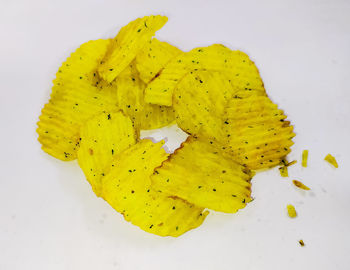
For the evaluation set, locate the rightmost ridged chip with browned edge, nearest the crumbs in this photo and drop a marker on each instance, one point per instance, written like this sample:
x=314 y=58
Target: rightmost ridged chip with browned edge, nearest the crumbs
x=256 y=132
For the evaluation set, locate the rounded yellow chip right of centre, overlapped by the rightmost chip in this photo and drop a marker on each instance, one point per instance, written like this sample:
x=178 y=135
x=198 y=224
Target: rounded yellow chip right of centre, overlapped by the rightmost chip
x=199 y=102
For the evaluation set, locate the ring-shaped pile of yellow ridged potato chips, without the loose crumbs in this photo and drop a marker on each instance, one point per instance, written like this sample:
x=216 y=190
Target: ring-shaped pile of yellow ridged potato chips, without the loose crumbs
x=109 y=90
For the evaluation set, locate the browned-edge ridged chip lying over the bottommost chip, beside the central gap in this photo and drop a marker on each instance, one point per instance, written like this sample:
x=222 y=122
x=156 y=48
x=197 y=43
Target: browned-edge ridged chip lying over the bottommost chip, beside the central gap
x=200 y=174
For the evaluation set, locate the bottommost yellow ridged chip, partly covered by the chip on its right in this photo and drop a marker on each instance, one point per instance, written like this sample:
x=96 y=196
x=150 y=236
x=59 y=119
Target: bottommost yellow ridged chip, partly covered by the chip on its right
x=127 y=188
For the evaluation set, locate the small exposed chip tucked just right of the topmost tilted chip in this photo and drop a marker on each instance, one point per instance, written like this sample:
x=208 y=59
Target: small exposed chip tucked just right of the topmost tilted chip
x=153 y=58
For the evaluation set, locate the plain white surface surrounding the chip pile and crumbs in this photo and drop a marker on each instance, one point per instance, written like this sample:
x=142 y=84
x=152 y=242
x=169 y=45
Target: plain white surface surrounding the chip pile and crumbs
x=50 y=218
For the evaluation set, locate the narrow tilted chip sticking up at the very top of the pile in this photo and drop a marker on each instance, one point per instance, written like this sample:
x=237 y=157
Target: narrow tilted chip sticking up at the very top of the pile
x=127 y=44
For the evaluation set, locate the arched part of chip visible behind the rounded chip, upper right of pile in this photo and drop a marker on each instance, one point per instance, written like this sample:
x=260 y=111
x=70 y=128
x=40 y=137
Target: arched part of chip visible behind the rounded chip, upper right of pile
x=240 y=69
